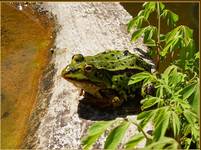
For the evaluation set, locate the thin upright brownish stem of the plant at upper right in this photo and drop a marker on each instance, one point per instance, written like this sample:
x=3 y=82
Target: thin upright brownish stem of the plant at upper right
x=158 y=36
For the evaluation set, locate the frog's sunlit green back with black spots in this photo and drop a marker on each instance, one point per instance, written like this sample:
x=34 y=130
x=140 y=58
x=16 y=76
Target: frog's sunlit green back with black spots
x=116 y=60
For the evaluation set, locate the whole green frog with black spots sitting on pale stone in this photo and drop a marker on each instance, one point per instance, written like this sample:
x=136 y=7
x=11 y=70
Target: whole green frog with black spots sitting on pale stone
x=104 y=77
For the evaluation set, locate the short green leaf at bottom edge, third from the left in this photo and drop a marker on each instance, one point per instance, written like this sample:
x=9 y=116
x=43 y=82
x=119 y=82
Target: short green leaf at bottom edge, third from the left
x=134 y=140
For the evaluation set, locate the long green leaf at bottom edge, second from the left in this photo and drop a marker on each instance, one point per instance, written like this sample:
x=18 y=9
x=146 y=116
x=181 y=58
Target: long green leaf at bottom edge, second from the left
x=116 y=135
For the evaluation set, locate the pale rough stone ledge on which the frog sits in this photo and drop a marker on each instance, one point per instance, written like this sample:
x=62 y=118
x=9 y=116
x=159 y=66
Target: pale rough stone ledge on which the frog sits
x=86 y=28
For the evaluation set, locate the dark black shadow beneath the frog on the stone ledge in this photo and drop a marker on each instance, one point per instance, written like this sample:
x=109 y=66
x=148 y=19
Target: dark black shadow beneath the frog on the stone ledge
x=92 y=112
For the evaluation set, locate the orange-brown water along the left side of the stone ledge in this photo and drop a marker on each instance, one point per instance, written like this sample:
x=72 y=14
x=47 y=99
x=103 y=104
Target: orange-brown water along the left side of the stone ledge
x=26 y=37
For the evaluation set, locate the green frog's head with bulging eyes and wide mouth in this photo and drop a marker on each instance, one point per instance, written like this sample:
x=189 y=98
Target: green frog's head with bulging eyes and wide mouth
x=83 y=74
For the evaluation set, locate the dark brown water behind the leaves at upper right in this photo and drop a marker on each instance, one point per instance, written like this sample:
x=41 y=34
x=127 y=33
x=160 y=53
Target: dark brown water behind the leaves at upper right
x=188 y=15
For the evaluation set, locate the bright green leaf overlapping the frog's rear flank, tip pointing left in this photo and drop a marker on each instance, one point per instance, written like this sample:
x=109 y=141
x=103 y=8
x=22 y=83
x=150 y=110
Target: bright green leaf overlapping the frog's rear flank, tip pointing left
x=138 y=77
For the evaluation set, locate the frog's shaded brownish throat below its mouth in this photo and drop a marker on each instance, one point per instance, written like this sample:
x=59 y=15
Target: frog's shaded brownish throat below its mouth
x=87 y=86
